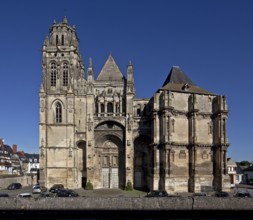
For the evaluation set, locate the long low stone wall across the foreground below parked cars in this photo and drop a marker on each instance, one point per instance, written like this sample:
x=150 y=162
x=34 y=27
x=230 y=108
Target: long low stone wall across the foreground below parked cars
x=173 y=203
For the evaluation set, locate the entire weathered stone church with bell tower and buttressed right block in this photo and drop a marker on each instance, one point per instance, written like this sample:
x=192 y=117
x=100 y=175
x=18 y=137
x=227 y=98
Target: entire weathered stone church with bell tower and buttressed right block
x=95 y=128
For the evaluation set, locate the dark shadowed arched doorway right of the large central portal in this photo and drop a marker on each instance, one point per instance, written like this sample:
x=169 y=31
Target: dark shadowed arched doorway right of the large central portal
x=142 y=163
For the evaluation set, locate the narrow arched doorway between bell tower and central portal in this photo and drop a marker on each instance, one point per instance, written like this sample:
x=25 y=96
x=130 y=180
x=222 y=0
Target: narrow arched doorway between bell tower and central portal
x=82 y=162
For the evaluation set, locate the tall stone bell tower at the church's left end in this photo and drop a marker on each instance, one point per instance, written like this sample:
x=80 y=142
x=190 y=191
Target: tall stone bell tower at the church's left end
x=63 y=73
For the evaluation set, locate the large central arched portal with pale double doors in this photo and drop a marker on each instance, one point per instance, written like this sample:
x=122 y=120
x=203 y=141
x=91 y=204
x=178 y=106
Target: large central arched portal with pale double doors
x=109 y=145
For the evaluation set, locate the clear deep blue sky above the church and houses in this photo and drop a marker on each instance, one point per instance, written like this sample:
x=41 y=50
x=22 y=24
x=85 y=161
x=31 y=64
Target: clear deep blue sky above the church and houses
x=211 y=40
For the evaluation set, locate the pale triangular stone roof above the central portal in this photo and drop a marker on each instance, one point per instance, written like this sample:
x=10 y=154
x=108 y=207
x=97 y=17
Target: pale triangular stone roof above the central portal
x=110 y=71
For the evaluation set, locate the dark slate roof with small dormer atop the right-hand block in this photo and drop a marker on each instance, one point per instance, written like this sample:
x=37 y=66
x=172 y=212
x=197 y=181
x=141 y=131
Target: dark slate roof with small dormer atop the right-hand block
x=179 y=82
